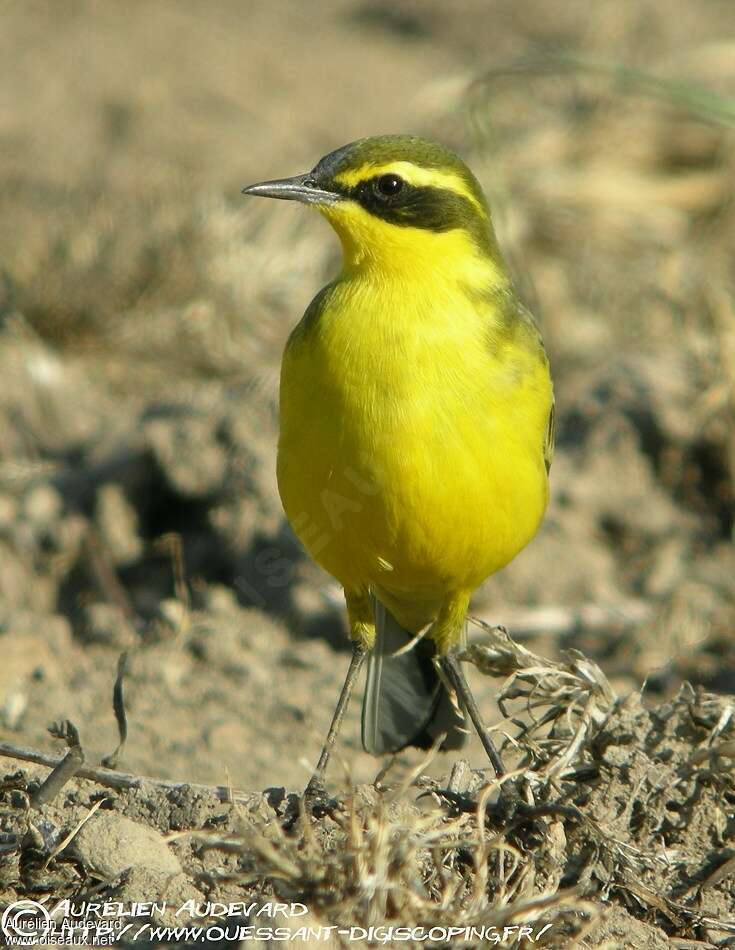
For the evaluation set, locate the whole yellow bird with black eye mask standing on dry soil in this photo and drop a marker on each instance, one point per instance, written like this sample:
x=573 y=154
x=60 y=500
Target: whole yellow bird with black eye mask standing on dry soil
x=416 y=428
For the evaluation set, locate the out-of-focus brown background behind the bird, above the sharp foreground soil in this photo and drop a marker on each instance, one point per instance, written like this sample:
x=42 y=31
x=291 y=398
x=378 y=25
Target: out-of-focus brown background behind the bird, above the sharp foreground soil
x=144 y=305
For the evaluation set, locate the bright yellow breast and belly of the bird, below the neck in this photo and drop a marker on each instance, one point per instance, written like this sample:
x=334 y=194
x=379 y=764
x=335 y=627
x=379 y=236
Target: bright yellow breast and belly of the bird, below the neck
x=411 y=460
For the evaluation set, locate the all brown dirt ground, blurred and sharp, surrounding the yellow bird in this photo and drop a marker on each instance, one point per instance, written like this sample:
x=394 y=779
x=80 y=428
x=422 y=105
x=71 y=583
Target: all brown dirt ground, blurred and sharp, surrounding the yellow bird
x=143 y=307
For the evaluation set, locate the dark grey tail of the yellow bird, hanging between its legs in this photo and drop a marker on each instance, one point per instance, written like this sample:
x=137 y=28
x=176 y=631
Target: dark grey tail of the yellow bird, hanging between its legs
x=406 y=703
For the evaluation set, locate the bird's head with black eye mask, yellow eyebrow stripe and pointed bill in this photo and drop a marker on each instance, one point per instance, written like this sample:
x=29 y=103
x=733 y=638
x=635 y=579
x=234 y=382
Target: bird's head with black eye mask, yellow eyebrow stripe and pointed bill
x=396 y=201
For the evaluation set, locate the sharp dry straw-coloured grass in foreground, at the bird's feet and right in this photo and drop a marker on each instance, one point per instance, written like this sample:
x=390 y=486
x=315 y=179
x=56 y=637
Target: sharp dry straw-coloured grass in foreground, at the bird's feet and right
x=418 y=853
